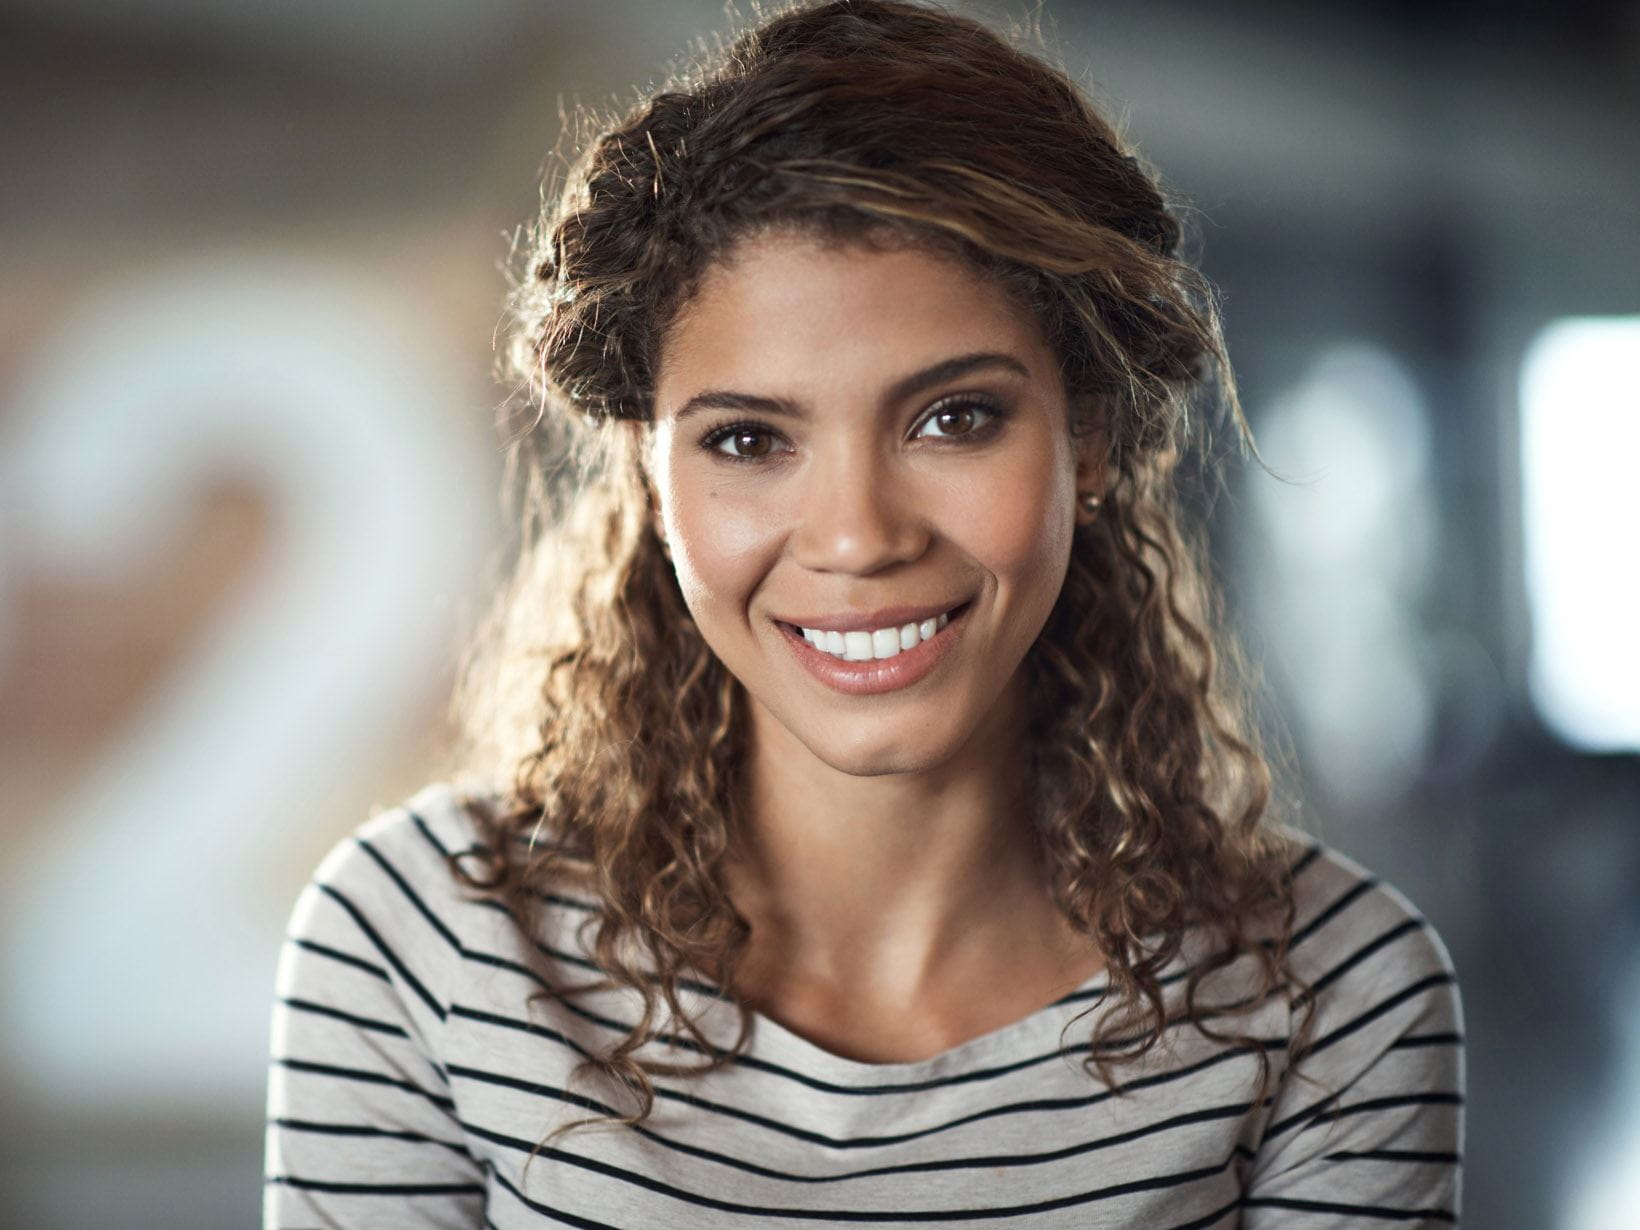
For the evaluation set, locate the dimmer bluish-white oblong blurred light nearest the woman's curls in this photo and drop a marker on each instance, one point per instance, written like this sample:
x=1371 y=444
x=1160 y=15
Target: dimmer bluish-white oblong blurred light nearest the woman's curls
x=1347 y=544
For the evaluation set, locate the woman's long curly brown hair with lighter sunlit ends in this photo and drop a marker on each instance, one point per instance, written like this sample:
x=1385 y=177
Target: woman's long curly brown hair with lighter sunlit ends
x=622 y=734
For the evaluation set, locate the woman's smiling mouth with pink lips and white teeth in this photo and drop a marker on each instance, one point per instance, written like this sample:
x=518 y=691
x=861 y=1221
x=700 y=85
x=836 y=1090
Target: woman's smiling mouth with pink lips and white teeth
x=881 y=652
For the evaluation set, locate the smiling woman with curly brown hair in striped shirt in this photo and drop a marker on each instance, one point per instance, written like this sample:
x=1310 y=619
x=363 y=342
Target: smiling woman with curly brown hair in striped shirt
x=881 y=839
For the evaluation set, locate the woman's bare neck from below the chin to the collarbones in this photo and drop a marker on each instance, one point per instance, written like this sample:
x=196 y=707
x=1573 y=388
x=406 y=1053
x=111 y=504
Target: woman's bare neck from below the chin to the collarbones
x=890 y=880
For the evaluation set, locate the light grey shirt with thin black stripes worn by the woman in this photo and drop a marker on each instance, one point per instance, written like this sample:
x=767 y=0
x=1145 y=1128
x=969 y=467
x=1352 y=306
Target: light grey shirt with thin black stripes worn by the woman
x=414 y=1085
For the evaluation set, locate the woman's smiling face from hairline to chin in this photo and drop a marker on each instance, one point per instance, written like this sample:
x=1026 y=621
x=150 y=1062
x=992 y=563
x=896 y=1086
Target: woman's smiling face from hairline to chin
x=875 y=447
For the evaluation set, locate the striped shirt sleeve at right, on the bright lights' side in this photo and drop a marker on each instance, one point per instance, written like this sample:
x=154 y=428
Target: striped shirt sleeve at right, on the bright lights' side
x=1367 y=1126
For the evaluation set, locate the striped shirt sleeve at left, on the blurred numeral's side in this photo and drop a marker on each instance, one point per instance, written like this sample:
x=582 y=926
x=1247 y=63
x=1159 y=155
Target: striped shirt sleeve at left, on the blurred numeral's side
x=362 y=1126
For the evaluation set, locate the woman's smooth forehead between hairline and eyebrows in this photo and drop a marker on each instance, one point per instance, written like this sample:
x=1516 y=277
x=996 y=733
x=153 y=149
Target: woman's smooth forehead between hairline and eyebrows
x=793 y=311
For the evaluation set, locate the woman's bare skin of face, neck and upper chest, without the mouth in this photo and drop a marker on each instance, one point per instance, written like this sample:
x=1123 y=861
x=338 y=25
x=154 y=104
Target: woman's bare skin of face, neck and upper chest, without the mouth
x=890 y=867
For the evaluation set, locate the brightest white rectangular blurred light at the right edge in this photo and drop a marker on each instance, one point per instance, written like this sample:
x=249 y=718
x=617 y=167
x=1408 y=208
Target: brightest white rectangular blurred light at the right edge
x=1580 y=452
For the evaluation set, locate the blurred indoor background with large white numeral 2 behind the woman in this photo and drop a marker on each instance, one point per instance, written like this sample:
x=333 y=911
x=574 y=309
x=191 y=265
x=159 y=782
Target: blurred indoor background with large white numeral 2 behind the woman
x=250 y=276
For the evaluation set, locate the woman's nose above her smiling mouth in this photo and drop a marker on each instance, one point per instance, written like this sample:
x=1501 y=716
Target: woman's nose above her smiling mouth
x=859 y=516
